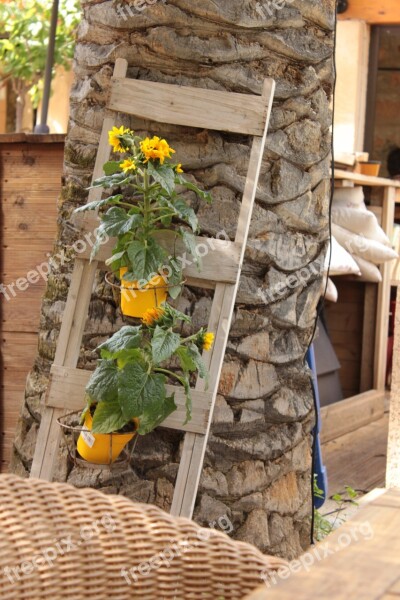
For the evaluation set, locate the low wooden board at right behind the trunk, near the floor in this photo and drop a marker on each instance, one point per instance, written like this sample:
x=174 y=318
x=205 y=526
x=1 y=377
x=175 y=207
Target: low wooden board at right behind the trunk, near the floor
x=350 y=414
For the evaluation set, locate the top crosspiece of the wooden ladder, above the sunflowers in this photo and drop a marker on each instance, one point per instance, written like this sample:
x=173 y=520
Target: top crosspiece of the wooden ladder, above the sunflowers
x=190 y=106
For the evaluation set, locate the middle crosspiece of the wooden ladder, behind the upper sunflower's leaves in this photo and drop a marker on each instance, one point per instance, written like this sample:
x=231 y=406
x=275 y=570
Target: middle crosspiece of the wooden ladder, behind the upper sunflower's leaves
x=220 y=262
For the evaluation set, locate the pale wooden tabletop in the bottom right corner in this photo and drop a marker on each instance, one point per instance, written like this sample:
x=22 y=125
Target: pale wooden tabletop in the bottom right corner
x=359 y=560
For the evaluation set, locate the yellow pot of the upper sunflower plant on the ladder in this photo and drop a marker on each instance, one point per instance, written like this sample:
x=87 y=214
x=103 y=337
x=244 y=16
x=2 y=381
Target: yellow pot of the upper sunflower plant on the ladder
x=135 y=302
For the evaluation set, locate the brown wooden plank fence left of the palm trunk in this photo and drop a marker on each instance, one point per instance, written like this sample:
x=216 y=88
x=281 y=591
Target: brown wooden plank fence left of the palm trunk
x=30 y=183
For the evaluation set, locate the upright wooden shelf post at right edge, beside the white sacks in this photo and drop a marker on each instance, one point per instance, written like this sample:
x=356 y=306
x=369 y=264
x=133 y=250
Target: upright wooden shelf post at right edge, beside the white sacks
x=383 y=302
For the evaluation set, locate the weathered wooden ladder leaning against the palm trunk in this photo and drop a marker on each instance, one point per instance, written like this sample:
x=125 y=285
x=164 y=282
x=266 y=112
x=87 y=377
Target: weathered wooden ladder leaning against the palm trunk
x=193 y=107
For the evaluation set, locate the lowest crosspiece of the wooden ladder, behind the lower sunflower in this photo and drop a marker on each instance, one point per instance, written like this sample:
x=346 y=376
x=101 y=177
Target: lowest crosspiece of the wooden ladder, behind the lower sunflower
x=67 y=391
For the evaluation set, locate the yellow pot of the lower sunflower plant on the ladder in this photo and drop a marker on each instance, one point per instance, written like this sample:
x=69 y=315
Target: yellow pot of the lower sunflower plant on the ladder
x=97 y=448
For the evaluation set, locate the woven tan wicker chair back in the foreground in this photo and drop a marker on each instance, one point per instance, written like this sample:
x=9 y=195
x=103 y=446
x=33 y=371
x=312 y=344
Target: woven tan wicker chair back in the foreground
x=57 y=541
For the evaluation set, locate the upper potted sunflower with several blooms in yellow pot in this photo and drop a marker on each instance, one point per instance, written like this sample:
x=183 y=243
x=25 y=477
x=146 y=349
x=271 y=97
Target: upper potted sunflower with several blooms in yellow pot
x=145 y=208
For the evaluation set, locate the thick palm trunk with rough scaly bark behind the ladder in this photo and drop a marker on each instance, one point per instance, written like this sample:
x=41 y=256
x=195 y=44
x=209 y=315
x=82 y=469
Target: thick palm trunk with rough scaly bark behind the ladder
x=257 y=469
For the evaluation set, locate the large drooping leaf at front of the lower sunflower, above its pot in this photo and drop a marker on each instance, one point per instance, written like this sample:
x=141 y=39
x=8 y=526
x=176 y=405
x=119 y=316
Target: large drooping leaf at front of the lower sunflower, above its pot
x=132 y=380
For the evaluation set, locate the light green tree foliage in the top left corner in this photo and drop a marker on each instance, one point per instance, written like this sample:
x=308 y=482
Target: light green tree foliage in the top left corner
x=23 y=51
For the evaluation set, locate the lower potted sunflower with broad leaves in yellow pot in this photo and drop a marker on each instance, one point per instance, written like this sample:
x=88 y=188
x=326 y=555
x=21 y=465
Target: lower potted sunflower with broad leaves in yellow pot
x=127 y=394
